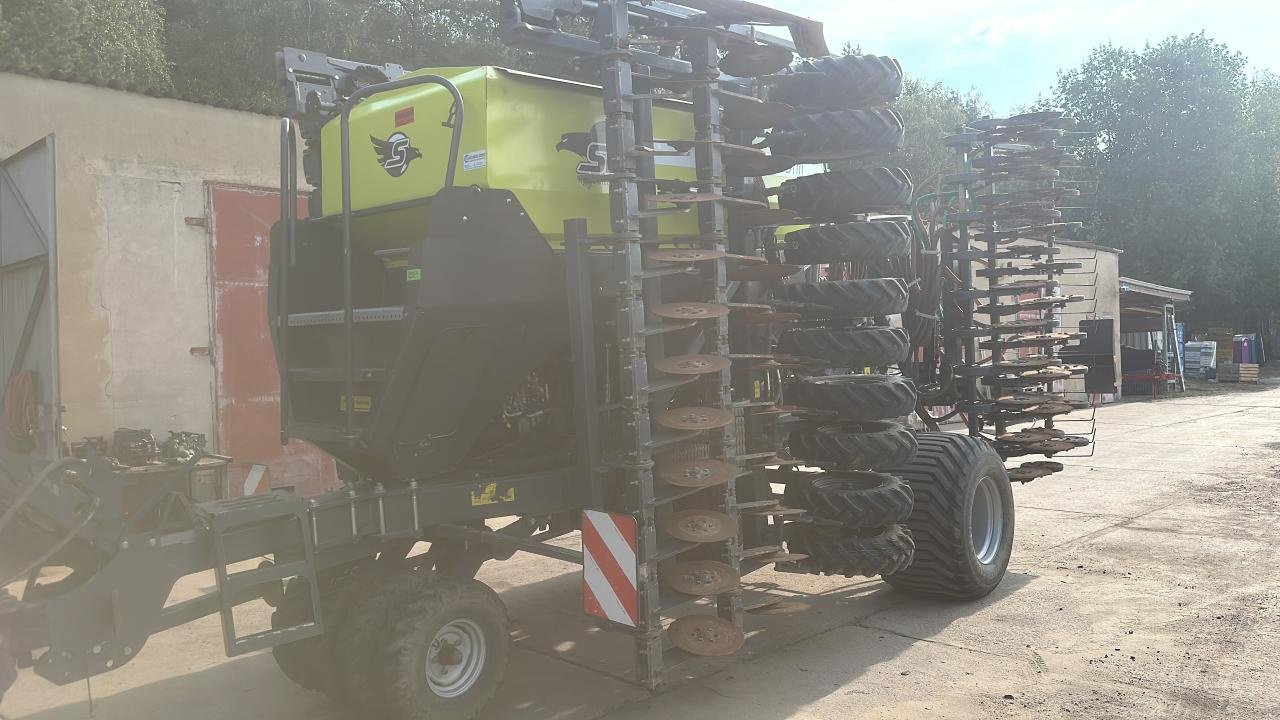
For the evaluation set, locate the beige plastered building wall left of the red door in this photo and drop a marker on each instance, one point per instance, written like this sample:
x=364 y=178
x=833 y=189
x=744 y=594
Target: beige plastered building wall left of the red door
x=134 y=275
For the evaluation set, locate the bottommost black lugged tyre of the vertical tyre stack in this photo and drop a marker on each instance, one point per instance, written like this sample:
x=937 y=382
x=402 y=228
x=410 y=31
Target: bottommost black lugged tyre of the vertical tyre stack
x=839 y=552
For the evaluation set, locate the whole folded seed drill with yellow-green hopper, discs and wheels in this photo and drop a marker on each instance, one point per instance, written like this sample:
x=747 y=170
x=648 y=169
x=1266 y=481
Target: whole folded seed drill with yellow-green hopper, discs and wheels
x=651 y=320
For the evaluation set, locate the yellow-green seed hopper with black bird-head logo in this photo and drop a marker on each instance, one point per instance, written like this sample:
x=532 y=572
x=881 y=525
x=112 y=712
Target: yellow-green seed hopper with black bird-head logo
x=514 y=126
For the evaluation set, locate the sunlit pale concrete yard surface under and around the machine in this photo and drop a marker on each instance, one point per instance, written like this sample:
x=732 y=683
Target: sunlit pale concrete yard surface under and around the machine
x=1144 y=585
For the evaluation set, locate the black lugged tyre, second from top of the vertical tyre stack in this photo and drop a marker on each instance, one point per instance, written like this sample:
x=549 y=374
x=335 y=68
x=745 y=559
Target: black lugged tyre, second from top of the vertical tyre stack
x=838 y=135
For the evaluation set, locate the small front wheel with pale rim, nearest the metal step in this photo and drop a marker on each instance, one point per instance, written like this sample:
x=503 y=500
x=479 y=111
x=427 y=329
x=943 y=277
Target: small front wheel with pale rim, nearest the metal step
x=386 y=648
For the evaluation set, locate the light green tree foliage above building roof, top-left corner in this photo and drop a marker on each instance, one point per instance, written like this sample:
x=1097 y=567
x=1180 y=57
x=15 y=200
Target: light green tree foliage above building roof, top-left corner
x=111 y=42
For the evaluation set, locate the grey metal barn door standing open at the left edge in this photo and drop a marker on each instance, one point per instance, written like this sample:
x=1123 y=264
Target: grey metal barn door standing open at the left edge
x=30 y=414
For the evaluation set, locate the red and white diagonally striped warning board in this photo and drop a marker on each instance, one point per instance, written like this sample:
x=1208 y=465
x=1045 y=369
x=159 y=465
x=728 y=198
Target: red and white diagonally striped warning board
x=610 y=568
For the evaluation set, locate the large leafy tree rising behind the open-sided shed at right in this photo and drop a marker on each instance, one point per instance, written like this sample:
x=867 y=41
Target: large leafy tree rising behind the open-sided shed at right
x=1187 y=174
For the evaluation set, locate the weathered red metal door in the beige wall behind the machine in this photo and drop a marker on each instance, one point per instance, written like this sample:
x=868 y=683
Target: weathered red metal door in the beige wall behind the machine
x=248 y=381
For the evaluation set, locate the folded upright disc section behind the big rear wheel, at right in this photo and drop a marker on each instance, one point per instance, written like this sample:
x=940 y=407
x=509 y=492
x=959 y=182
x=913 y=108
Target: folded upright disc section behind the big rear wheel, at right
x=1017 y=162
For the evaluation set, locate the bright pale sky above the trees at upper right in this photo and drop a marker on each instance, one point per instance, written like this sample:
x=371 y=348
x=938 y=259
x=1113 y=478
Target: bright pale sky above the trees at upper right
x=1012 y=51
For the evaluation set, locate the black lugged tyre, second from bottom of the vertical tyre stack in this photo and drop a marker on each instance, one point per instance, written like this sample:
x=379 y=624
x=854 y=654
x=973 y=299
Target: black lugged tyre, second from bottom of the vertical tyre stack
x=857 y=499
